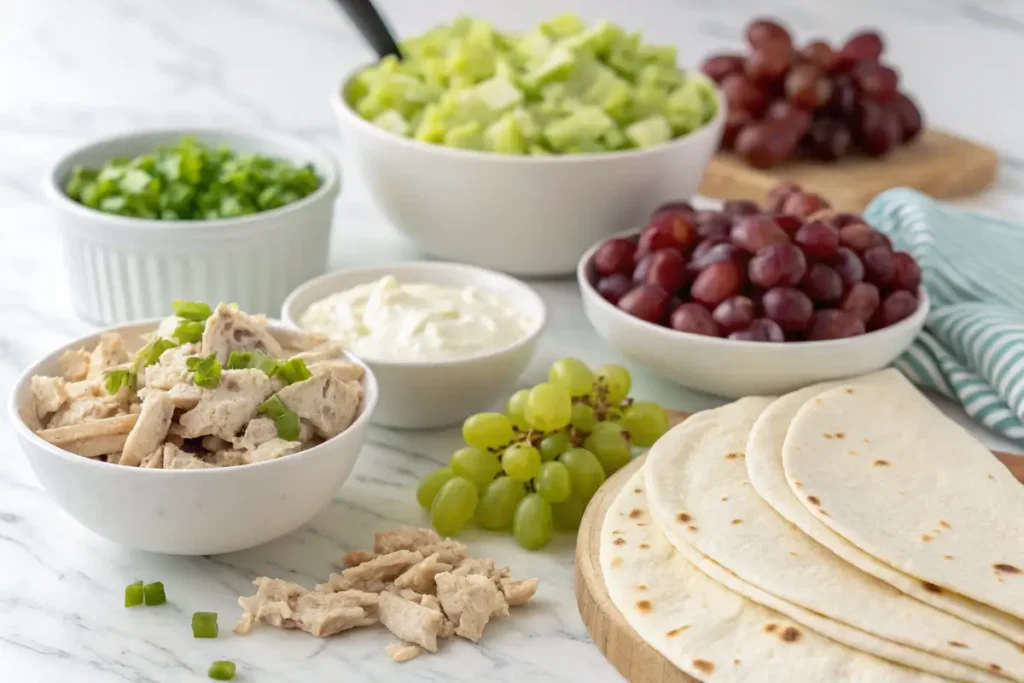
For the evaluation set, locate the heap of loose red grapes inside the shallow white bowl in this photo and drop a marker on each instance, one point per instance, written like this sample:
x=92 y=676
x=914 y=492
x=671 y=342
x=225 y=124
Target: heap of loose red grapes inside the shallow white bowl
x=795 y=272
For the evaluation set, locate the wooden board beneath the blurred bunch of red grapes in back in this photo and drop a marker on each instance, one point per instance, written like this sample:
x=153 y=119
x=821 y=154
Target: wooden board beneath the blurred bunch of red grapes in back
x=938 y=164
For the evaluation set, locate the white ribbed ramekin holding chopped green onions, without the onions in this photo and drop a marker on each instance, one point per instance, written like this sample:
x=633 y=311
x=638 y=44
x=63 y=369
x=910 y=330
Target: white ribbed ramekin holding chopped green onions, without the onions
x=122 y=269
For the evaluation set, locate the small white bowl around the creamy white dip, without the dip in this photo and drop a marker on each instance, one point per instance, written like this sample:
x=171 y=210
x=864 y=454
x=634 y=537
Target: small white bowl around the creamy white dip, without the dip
x=428 y=395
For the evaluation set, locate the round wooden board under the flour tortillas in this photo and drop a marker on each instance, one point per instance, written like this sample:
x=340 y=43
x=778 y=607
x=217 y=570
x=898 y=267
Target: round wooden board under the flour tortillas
x=630 y=654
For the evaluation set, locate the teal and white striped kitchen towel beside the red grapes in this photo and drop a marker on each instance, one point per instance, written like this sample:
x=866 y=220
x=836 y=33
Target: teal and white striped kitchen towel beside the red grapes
x=972 y=349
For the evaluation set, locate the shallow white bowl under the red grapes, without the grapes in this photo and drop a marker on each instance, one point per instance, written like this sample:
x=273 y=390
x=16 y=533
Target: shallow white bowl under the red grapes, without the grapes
x=735 y=369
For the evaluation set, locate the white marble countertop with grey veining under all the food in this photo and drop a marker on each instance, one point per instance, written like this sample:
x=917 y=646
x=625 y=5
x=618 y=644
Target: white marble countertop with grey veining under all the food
x=74 y=70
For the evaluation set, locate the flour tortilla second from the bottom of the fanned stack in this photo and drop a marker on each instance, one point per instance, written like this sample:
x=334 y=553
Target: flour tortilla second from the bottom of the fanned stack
x=703 y=500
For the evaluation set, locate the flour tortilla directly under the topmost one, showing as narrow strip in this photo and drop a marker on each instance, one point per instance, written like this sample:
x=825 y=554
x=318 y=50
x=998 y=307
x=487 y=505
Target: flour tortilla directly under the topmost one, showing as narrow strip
x=764 y=466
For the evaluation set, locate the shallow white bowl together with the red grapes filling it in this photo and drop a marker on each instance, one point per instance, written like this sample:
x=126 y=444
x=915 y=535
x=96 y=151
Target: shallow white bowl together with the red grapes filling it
x=748 y=301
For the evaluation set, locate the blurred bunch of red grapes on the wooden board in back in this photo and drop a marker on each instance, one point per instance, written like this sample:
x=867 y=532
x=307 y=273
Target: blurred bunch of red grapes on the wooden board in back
x=817 y=102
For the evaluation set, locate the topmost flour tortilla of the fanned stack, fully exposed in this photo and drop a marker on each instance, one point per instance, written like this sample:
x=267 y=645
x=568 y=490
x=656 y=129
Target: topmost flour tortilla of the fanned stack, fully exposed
x=921 y=494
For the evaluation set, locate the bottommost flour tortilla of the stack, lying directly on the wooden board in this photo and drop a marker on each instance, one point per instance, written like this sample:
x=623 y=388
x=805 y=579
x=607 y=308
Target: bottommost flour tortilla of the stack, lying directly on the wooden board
x=708 y=631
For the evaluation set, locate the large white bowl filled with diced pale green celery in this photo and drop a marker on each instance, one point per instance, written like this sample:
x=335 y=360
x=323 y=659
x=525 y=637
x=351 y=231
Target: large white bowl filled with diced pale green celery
x=518 y=152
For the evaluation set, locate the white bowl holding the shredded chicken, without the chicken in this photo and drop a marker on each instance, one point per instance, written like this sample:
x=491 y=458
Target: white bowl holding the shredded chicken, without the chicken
x=188 y=513
